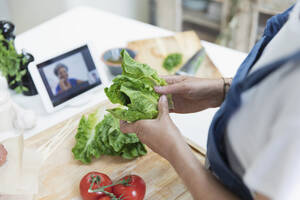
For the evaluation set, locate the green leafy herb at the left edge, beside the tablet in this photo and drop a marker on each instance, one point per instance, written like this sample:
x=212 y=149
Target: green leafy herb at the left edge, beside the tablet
x=10 y=64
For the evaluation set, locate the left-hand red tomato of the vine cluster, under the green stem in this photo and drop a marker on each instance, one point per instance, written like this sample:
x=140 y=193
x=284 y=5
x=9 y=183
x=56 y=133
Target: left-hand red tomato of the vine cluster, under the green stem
x=86 y=182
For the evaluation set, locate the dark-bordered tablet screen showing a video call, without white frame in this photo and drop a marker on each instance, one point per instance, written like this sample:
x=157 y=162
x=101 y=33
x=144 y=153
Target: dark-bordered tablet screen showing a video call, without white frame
x=69 y=75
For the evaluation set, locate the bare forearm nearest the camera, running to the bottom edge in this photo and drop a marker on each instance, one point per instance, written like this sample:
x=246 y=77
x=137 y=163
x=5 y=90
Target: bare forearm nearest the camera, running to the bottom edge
x=200 y=182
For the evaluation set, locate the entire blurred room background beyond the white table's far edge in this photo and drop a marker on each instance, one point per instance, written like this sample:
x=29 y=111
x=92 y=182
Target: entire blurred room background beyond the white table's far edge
x=233 y=23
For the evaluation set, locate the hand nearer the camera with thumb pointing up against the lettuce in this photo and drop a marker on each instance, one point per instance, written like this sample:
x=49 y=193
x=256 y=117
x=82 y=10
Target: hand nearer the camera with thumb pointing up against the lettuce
x=160 y=134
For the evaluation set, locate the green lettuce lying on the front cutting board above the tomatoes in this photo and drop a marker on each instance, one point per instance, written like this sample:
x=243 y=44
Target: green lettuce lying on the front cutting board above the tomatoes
x=95 y=138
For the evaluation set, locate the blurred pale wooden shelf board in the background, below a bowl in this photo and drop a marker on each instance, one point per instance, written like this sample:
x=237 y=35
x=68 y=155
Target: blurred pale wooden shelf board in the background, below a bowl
x=200 y=18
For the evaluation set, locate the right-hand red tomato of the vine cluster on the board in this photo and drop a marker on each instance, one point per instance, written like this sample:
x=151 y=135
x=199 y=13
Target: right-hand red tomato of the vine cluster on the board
x=135 y=190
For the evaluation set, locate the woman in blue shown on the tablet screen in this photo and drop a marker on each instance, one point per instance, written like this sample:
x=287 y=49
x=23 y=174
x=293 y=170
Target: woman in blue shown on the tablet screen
x=65 y=83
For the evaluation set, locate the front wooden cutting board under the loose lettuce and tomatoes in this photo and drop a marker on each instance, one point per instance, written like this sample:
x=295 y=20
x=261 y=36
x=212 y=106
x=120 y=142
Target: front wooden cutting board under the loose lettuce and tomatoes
x=60 y=174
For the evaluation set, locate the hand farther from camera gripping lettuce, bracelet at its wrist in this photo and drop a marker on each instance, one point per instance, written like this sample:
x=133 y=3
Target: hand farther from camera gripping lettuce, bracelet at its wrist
x=191 y=94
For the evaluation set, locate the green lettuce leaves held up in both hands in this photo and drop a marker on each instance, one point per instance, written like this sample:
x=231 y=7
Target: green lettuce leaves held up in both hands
x=135 y=90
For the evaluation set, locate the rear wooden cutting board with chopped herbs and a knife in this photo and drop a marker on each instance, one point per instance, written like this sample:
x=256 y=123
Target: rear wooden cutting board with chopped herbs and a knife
x=154 y=51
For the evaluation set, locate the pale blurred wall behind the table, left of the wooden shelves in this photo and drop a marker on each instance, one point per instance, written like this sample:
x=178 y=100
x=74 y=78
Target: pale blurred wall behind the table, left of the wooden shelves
x=29 y=13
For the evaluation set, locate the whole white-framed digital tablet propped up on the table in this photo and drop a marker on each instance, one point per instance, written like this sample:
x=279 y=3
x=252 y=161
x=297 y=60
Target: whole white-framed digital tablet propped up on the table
x=63 y=79
